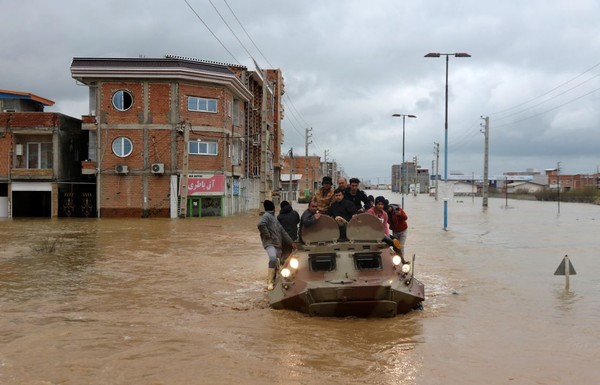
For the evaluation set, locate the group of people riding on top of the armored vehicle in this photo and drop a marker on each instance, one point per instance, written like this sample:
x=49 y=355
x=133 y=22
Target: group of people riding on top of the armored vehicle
x=341 y=203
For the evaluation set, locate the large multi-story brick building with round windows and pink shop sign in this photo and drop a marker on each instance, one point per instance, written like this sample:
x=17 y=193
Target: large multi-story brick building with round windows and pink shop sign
x=180 y=137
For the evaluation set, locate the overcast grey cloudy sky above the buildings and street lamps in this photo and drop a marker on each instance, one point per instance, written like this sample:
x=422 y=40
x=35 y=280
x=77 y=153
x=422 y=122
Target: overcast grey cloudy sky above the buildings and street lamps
x=349 y=65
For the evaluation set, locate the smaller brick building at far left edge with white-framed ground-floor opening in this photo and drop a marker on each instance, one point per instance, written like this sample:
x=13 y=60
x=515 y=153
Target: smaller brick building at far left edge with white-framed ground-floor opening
x=40 y=160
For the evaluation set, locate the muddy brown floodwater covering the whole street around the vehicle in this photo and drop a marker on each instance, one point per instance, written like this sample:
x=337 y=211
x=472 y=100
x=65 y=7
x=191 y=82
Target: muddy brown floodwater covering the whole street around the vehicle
x=163 y=301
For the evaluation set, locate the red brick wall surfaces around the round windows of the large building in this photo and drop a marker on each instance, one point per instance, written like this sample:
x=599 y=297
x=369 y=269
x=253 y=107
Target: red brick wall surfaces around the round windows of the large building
x=122 y=195
